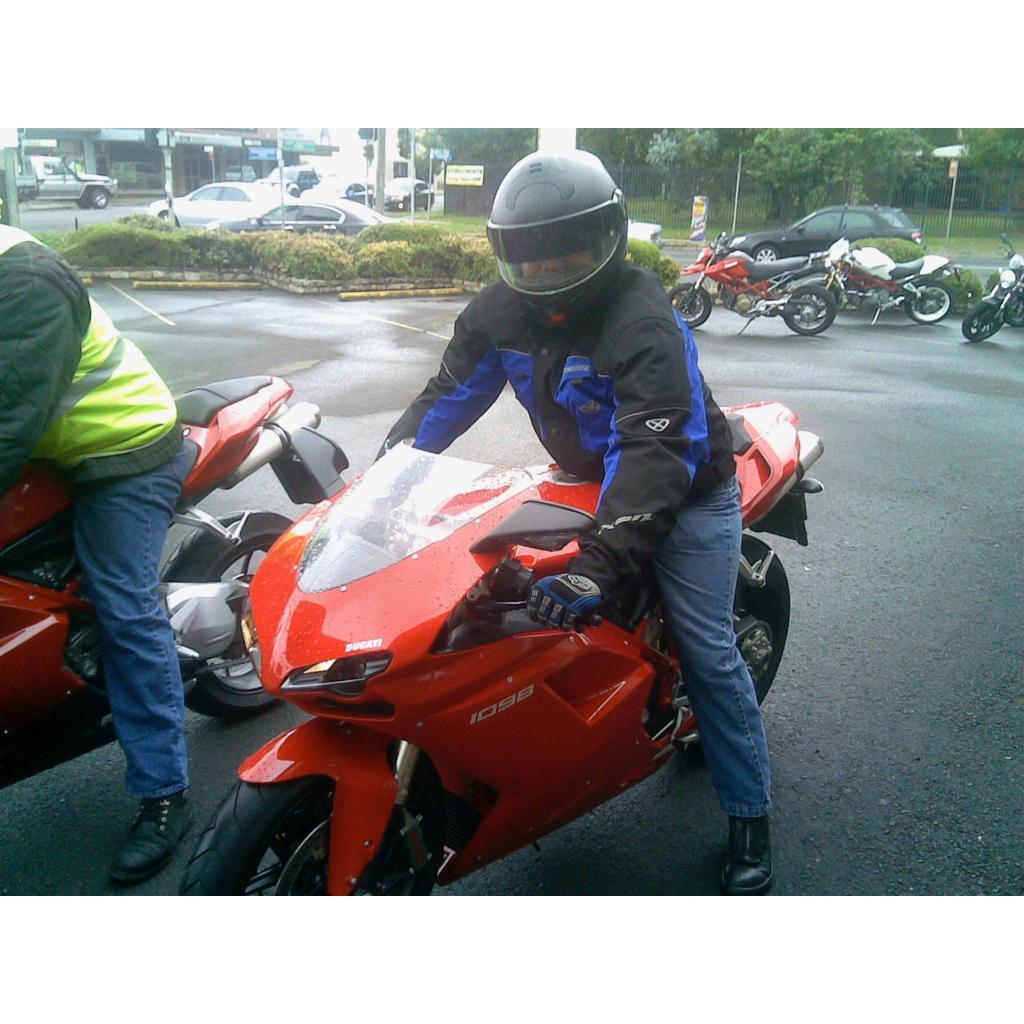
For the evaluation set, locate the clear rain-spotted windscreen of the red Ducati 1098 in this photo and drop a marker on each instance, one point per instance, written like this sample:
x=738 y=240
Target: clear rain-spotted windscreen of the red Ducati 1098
x=405 y=502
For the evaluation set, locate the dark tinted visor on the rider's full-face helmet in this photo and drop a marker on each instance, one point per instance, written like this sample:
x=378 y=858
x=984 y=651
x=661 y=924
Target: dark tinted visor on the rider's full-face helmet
x=545 y=260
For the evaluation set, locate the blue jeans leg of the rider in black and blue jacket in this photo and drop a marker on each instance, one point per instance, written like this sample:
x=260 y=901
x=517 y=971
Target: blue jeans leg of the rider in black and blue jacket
x=696 y=569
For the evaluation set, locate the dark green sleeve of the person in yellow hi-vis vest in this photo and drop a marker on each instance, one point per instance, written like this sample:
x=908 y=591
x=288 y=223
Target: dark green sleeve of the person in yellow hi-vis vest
x=44 y=320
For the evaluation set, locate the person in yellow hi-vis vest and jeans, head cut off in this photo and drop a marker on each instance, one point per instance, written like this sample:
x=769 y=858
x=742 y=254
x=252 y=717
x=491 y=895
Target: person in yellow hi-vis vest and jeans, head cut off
x=77 y=394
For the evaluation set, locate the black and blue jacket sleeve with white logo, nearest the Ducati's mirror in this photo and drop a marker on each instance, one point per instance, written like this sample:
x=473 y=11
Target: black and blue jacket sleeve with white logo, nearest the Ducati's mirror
x=659 y=439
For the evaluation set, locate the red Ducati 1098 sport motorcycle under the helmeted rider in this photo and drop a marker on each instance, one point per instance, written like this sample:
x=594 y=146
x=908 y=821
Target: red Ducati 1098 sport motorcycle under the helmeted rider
x=449 y=730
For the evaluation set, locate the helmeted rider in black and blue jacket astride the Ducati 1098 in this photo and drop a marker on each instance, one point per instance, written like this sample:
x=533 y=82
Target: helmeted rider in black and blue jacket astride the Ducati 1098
x=611 y=380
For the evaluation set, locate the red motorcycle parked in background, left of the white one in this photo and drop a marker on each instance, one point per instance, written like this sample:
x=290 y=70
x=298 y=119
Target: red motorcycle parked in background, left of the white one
x=754 y=290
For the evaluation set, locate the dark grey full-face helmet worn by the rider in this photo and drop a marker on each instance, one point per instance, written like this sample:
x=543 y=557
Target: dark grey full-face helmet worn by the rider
x=559 y=230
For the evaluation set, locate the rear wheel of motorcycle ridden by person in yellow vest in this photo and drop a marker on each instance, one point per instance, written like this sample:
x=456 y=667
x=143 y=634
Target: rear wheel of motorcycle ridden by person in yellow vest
x=228 y=687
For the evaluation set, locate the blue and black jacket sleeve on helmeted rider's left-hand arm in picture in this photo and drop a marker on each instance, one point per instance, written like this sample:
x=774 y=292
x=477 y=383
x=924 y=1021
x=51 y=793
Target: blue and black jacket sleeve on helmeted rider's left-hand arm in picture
x=468 y=383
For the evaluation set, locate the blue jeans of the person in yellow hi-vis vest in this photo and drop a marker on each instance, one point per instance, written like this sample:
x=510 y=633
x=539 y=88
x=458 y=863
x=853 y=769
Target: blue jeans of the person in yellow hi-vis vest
x=120 y=529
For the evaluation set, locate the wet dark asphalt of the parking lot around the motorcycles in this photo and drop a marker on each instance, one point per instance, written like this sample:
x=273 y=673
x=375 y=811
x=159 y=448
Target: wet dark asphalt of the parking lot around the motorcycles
x=897 y=723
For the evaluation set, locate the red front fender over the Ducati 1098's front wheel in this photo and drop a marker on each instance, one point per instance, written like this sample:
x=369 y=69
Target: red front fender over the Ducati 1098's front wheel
x=365 y=788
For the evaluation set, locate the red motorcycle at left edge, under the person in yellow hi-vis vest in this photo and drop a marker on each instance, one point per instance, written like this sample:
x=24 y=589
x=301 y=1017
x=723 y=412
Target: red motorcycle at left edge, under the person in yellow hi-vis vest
x=53 y=703
